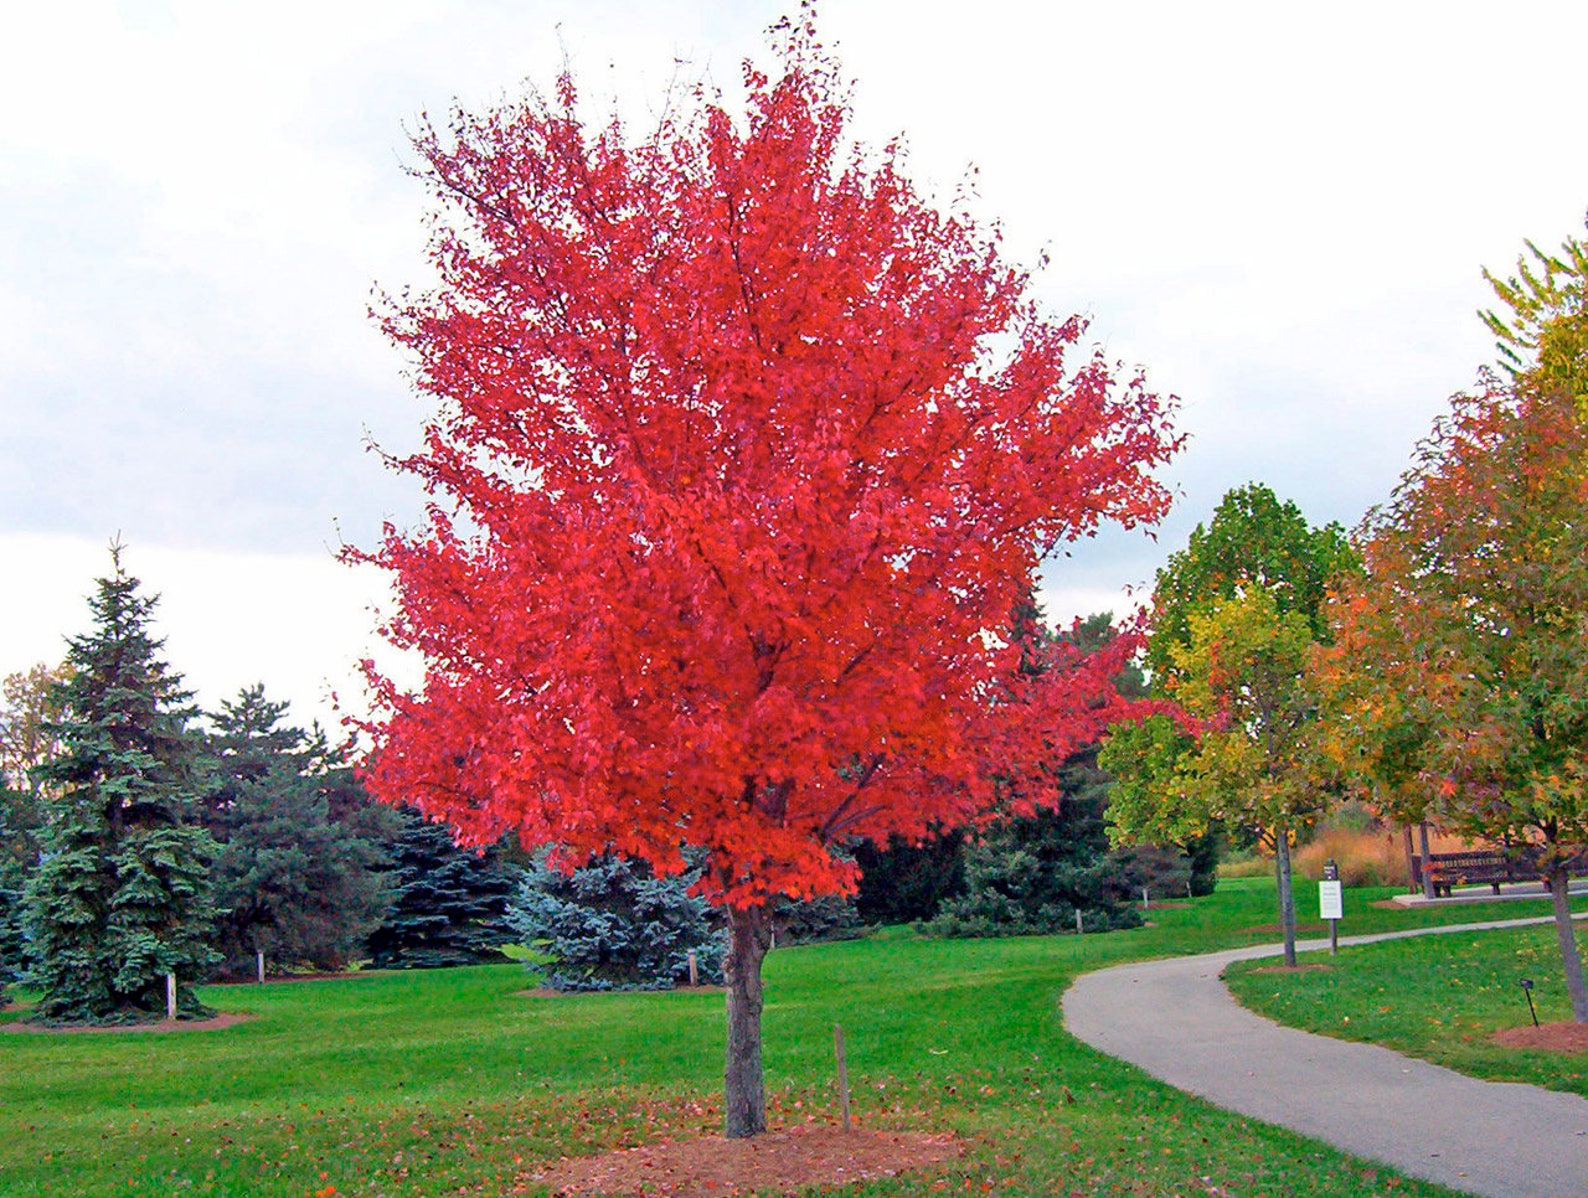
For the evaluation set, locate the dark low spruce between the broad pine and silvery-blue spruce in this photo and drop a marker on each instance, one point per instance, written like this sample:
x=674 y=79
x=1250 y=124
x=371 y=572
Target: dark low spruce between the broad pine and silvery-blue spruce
x=449 y=905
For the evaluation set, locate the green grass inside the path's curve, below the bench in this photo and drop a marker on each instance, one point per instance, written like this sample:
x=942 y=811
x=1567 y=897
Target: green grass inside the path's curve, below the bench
x=1441 y=999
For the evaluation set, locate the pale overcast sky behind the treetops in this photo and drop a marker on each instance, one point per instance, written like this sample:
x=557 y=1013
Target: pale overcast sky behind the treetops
x=1279 y=211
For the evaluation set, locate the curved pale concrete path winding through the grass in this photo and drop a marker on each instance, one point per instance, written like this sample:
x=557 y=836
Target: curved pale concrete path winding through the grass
x=1176 y=1021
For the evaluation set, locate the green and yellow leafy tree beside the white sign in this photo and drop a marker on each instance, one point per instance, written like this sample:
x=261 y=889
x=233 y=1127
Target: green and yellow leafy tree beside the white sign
x=1236 y=619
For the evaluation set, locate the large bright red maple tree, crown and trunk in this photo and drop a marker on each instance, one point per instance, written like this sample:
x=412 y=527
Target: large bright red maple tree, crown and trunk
x=744 y=457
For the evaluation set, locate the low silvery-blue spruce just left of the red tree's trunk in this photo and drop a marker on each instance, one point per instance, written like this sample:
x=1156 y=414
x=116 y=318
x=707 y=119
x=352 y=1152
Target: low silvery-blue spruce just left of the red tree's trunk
x=614 y=926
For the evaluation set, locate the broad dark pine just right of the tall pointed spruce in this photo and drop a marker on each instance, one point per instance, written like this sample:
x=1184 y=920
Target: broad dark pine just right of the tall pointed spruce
x=295 y=883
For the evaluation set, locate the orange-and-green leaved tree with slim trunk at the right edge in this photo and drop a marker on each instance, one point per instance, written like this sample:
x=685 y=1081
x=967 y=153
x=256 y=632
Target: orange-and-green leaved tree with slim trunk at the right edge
x=1468 y=690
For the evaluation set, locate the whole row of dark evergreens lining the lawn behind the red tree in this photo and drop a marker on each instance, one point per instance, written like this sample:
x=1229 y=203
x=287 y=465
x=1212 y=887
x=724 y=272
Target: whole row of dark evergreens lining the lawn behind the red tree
x=141 y=838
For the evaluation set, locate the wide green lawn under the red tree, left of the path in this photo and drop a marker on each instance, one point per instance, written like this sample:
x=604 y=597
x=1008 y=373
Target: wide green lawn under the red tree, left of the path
x=457 y=1083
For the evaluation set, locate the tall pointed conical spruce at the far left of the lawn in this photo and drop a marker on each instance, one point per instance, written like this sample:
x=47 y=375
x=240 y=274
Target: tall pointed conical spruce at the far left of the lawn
x=123 y=894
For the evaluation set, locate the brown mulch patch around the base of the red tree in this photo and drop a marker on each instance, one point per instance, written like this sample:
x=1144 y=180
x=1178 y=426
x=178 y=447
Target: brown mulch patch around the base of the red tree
x=785 y=1162
